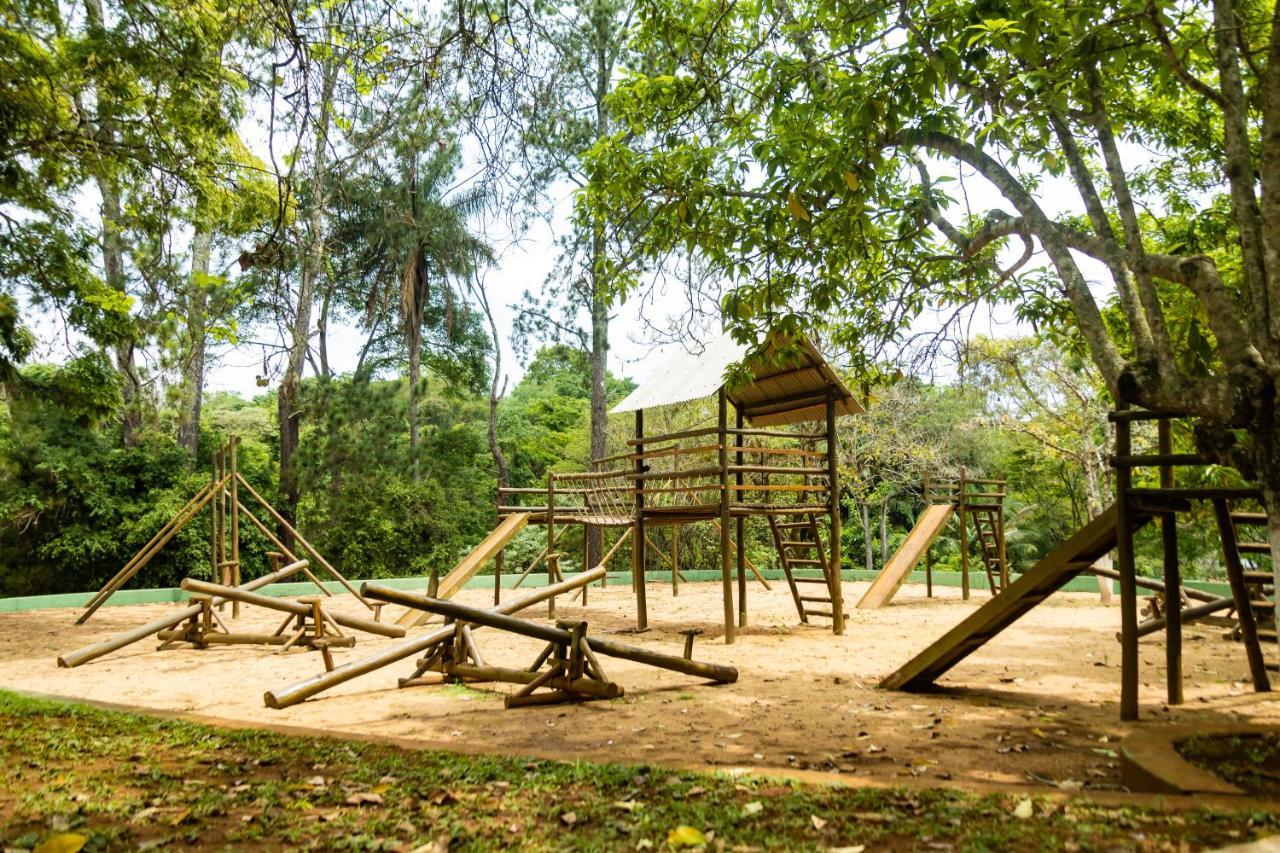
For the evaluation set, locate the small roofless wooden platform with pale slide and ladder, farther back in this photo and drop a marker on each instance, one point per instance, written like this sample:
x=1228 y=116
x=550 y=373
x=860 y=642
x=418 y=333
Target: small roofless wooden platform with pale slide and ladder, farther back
x=981 y=501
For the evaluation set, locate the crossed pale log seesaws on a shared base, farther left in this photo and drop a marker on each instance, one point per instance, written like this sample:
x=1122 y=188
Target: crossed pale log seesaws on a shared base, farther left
x=199 y=623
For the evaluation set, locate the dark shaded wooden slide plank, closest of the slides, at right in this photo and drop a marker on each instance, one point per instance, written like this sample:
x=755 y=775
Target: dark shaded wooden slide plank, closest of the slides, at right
x=1067 y=562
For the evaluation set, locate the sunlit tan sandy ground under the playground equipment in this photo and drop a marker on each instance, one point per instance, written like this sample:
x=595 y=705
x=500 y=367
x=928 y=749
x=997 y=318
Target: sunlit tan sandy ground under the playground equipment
x=1036 y=705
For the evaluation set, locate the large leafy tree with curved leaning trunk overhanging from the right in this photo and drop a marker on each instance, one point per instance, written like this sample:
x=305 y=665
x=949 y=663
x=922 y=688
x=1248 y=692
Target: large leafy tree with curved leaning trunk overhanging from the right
x=797 y=148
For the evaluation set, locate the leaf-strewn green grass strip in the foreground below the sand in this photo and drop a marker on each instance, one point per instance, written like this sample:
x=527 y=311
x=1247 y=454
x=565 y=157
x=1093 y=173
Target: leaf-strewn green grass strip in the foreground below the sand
x=125 y=781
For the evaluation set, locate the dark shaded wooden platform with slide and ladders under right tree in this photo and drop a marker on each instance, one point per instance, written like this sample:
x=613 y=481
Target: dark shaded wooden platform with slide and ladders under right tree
x=1136 y=507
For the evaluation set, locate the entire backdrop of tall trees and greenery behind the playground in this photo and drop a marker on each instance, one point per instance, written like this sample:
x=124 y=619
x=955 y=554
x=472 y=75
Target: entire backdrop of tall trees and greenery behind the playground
x=186 y=183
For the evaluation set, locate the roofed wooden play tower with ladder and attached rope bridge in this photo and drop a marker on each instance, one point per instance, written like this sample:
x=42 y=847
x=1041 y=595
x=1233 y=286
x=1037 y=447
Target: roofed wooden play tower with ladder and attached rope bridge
x=747 y=466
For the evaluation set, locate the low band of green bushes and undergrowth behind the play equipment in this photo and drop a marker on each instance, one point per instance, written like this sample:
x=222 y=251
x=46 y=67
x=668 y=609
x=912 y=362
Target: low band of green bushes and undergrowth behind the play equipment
x=77 y=503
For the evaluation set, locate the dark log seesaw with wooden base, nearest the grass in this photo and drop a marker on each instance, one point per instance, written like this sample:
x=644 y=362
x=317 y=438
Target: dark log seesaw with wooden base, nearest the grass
x=573 y=670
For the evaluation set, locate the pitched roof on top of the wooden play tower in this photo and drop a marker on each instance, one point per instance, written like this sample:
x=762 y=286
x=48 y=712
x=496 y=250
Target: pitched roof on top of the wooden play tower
x=783 y=391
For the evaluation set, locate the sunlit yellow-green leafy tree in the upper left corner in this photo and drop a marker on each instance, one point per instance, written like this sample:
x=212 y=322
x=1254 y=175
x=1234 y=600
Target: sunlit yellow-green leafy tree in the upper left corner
x=130 y=104
